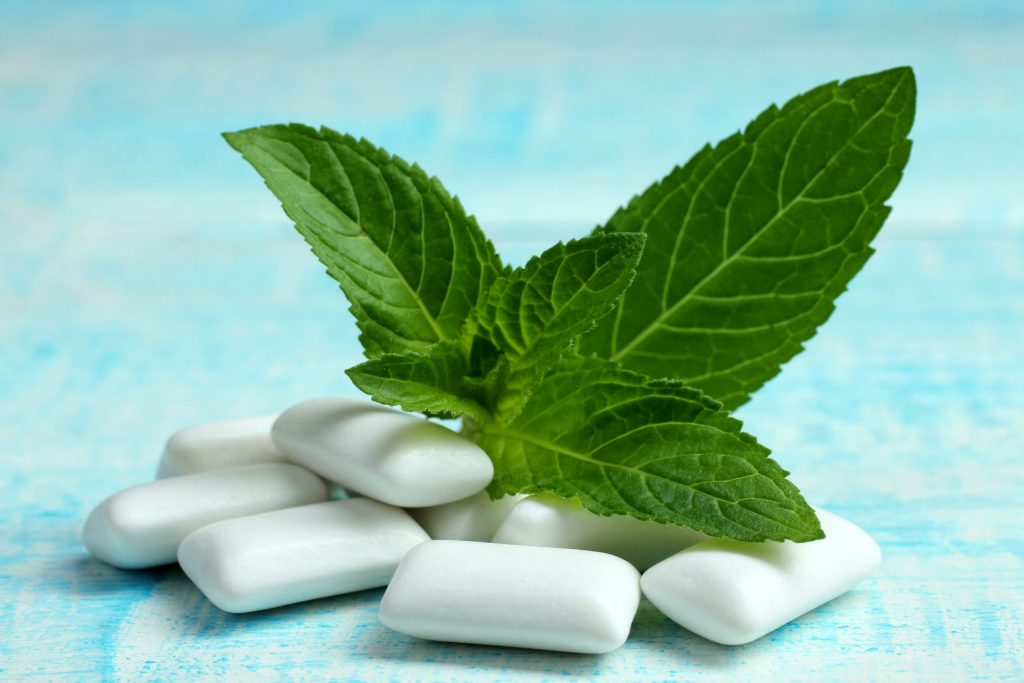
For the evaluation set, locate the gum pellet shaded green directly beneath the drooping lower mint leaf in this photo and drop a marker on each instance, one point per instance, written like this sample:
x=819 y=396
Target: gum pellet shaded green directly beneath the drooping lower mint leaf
x=548 y=521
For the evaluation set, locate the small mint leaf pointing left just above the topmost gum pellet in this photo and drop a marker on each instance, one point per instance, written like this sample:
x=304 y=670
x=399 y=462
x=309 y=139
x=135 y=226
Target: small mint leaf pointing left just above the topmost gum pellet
x=435 y=382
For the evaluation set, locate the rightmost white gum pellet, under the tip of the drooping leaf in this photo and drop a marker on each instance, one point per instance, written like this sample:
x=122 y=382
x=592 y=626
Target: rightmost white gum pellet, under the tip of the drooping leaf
x=734 y=592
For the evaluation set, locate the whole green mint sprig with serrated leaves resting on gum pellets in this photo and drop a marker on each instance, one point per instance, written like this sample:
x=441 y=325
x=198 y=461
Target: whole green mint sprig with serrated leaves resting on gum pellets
x=748 y=246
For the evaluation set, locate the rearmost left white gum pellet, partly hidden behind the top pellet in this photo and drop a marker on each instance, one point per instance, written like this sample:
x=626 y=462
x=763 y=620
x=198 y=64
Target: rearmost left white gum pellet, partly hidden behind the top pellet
x=219 y=446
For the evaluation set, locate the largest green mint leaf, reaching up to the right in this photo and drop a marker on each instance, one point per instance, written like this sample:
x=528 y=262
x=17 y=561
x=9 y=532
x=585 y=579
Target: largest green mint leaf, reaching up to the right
x=752 y=241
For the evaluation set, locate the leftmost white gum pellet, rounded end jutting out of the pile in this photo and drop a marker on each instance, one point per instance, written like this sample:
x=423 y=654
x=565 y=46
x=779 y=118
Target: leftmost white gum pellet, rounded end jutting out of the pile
x=142 y=527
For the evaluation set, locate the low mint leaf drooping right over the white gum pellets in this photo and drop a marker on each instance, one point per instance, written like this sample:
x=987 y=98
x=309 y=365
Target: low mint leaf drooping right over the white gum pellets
x=656 y=450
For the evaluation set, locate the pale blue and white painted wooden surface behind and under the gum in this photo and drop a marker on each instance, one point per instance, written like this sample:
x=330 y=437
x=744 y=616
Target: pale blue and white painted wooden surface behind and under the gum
x=149 y=282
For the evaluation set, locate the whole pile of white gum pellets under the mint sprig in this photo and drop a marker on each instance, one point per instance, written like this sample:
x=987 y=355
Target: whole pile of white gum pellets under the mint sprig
x=336 y=496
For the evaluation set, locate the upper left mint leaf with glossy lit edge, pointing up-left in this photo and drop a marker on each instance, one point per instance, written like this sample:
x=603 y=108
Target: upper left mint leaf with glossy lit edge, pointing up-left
x=412 y=264
